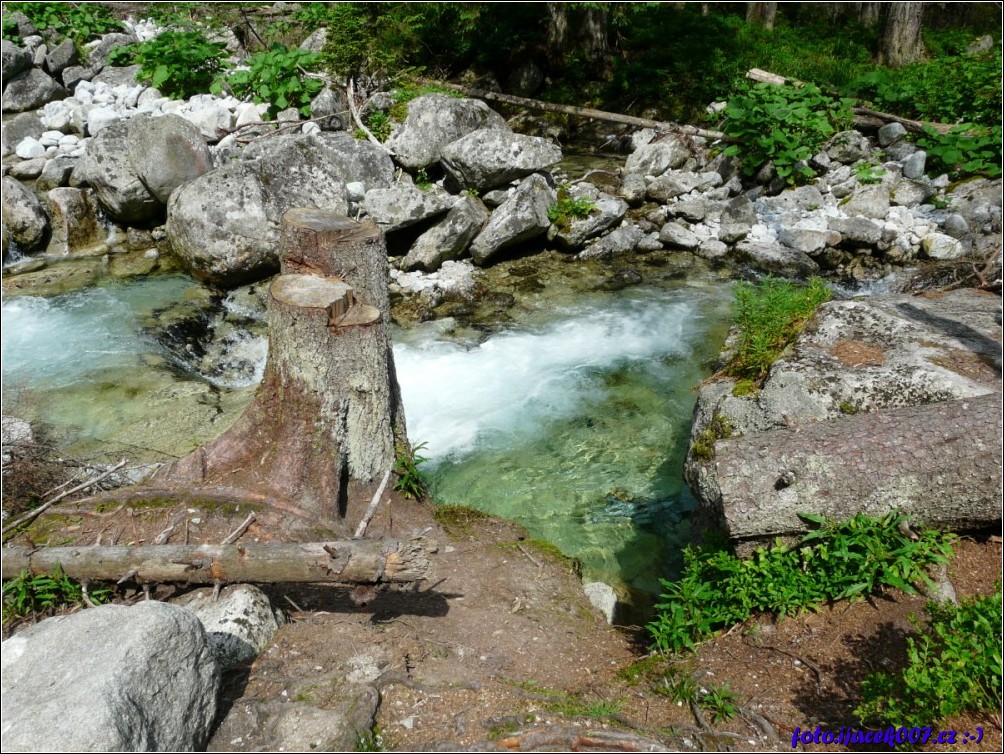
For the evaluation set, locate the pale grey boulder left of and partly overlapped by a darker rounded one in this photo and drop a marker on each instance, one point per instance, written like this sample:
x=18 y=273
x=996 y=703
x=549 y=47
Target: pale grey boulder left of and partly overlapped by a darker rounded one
x=107 y=168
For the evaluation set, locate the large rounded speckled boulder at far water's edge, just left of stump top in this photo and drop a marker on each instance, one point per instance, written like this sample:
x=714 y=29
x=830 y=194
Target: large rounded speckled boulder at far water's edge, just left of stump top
x=219 y=227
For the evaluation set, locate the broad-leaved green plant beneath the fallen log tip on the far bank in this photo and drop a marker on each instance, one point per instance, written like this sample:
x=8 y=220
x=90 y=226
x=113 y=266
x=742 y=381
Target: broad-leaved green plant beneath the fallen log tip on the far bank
x=784 y=125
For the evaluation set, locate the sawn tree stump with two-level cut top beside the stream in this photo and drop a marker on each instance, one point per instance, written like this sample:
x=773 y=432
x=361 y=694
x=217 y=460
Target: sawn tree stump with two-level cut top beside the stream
x=329 y=413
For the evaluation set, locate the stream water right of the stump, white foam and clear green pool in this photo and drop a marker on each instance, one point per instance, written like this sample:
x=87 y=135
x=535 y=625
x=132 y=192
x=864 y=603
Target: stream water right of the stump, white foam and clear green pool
x=576 y=427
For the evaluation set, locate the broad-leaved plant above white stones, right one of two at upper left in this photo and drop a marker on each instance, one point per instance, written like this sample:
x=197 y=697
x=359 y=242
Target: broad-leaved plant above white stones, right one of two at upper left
x=277 y=78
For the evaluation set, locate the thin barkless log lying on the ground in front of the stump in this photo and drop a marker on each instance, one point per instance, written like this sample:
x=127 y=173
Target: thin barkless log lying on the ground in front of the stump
x=353 y=562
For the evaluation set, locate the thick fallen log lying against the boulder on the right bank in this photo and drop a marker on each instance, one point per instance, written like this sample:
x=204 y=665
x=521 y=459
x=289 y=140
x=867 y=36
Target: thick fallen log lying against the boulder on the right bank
x=940 y=464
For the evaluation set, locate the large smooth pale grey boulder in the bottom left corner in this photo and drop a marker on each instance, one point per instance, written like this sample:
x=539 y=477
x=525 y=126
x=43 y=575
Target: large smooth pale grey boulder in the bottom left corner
x=110 y=679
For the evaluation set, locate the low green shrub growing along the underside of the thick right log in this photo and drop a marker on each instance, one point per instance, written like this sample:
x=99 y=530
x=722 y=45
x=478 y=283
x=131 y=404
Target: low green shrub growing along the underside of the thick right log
x=836 y=562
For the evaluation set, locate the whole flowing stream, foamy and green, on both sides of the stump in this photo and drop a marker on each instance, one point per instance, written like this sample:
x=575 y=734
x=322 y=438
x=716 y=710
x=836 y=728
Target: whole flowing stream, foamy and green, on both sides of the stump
x=572 y=419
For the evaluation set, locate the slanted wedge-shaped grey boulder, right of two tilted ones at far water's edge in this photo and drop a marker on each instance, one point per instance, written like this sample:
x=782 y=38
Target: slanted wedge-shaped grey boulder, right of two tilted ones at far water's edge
x=522 y=218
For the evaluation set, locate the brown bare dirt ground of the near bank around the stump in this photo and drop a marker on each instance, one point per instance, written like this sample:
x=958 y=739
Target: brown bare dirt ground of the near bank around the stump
x=500 y=650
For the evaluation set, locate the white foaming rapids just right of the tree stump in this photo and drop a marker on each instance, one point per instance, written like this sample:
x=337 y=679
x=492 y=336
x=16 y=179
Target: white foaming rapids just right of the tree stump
x=509 y=388
